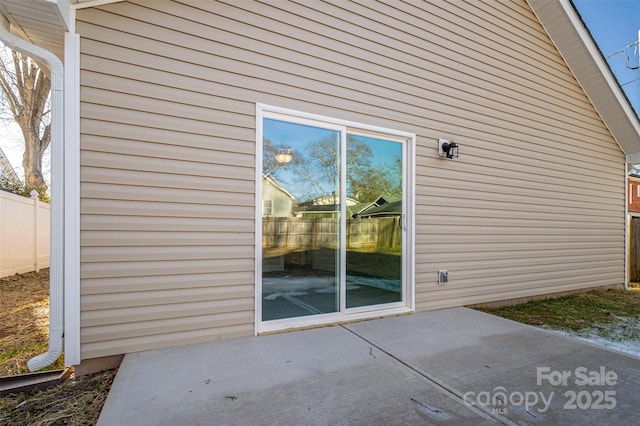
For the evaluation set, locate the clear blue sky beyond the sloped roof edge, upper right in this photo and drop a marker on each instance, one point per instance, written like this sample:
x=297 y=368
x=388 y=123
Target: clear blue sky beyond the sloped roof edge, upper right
x=614 y=24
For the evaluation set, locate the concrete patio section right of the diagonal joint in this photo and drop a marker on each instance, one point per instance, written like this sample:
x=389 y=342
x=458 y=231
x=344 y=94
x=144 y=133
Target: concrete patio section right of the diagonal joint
x=524 y=374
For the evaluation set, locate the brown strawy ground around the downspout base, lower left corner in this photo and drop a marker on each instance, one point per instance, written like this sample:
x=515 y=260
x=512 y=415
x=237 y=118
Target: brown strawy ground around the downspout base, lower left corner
x=24 y=316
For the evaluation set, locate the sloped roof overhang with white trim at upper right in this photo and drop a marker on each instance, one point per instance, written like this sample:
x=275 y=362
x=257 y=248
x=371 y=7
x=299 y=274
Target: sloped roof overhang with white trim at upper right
x=581 y=54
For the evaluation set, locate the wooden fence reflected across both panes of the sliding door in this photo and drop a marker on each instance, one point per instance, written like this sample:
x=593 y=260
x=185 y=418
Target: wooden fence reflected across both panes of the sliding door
x=298 y=233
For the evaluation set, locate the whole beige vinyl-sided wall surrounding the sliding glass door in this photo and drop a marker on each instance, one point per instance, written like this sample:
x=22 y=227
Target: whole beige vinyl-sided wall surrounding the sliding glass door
x=534 y=204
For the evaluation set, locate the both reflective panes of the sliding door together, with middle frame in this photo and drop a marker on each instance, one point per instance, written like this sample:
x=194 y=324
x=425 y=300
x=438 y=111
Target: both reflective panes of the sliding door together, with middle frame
x=332 y=220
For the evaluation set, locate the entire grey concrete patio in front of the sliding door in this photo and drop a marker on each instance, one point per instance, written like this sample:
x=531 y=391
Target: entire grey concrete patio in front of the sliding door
x=454 y=366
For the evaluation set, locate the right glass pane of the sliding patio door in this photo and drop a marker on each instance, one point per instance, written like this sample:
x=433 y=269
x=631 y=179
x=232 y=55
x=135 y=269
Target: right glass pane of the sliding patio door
x=375 y=221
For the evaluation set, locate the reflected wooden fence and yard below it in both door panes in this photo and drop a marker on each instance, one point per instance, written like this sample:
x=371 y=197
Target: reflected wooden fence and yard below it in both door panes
x=300 y=265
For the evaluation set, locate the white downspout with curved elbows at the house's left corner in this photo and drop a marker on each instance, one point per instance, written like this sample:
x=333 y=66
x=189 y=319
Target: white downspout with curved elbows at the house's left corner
x=56 y=289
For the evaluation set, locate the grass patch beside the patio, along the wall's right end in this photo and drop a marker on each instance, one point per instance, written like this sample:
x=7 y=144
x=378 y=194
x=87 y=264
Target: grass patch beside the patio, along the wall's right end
x=576 y=312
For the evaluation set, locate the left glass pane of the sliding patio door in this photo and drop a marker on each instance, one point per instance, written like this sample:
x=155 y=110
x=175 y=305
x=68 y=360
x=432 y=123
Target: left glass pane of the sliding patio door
x=300 y=220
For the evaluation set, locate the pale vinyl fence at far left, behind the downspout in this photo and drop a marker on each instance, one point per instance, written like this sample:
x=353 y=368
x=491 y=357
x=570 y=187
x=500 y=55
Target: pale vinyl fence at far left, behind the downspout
x=24 y=234
